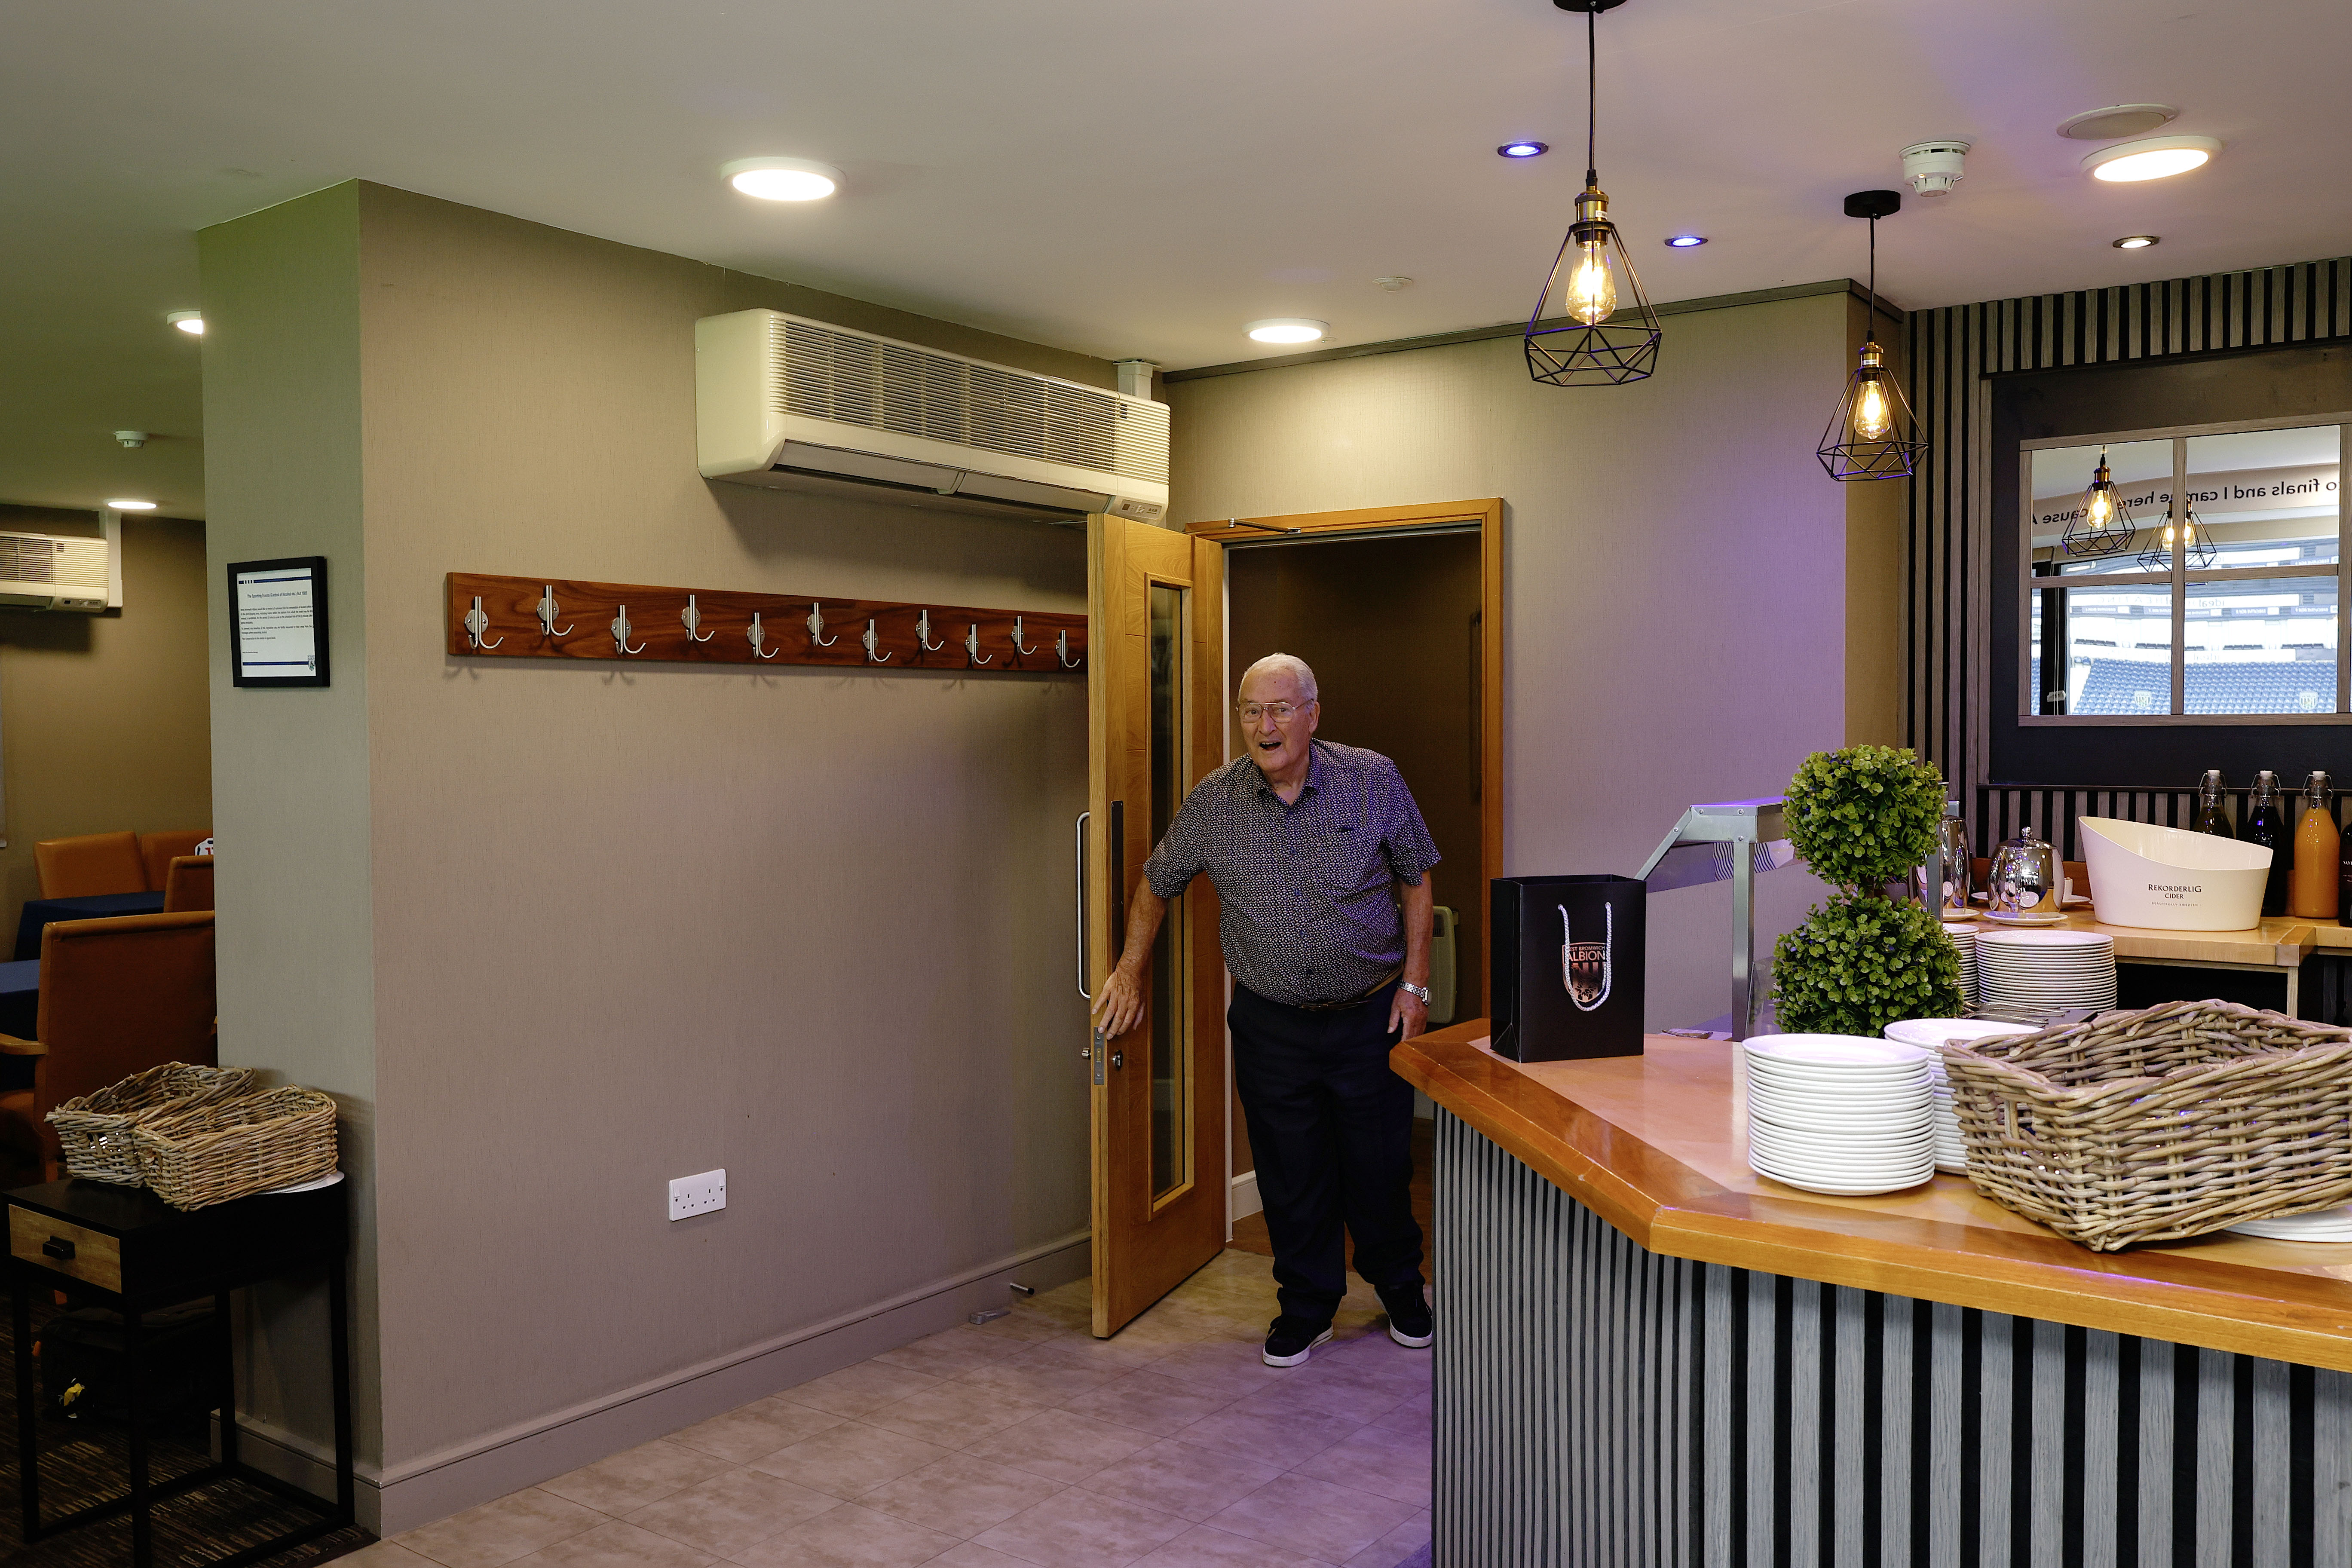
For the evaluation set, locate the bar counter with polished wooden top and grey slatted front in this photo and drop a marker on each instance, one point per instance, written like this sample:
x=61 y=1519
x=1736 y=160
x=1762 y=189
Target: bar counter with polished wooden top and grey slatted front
x=1652 y=1358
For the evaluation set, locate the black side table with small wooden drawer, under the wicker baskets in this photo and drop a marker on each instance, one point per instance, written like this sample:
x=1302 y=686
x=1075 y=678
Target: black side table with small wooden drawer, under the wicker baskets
x=131 y=1252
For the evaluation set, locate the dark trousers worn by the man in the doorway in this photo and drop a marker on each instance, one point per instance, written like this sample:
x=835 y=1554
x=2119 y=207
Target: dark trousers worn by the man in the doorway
x=1332 y=1132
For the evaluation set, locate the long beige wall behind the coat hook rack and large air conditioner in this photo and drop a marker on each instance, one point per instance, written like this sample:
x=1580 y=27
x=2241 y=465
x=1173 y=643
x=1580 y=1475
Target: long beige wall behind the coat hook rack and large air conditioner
x=636 y=923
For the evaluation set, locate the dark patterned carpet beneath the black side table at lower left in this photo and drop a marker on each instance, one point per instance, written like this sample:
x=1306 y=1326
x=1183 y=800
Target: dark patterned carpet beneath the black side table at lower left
x=86 y=1461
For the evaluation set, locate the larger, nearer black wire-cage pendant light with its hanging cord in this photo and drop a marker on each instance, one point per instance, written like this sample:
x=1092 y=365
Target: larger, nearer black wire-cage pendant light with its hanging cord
x=1593 y=349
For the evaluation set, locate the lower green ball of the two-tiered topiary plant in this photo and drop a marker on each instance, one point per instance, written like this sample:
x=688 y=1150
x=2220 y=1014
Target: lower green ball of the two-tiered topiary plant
x=1859 y=965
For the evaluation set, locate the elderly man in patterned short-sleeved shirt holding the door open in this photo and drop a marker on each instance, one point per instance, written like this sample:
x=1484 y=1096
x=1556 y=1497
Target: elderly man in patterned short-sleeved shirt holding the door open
x=1321 y=866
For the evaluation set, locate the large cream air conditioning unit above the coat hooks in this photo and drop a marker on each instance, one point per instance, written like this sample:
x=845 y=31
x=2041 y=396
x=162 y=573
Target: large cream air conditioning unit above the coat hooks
x=784 y=401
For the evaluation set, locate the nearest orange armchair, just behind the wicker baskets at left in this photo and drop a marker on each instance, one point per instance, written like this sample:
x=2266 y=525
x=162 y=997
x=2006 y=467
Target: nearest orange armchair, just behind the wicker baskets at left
x=116 y=998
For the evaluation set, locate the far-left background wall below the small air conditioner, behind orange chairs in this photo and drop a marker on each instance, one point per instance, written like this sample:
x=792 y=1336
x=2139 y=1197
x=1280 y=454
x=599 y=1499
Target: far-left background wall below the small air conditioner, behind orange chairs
x=105 y=721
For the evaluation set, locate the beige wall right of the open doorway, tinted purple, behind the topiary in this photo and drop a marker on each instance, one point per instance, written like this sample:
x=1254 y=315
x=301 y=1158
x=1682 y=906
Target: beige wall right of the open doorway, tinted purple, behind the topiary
x=1676 y=572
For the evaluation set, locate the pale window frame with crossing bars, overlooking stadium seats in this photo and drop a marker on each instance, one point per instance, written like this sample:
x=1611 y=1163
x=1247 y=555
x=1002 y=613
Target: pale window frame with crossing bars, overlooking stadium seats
x=2179 y=579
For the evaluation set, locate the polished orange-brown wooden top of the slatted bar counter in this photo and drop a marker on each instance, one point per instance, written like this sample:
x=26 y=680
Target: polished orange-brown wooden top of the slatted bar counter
x=1657 y=1146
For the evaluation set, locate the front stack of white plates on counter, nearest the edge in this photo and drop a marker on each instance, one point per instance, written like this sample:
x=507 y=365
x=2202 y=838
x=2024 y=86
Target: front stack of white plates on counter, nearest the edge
x=1838 y=1113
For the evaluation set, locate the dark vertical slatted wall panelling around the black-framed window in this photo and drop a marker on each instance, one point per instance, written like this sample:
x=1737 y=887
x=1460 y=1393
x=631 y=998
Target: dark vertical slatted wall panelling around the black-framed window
x=1953 y=349
